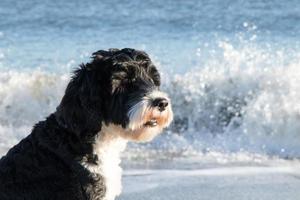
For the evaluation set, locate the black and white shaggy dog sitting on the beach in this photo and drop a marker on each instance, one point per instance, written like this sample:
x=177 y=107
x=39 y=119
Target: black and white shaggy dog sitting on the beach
x=75 y=152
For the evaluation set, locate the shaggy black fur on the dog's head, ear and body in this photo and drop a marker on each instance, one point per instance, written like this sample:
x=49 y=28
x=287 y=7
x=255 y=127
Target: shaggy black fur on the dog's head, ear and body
x=47 y=163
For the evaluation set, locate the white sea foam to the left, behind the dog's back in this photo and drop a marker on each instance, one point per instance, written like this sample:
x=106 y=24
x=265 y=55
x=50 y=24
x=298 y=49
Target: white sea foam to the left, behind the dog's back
x=26 y=98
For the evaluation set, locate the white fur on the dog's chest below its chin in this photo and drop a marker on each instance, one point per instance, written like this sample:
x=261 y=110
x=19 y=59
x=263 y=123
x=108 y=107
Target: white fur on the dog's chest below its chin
x=108 y=148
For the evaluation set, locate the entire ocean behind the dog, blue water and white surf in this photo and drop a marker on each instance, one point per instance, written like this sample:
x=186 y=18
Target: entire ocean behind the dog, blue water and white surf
x=230 y=67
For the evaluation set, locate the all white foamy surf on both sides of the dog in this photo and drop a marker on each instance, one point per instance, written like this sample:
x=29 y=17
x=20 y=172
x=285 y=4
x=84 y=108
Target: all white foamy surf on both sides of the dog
x=244 y=101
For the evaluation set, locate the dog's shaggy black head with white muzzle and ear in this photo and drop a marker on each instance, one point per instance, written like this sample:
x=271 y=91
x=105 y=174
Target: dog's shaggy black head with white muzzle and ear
x=120 y=89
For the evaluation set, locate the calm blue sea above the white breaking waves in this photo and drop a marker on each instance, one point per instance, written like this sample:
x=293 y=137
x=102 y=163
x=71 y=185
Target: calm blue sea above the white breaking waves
x=50 y=33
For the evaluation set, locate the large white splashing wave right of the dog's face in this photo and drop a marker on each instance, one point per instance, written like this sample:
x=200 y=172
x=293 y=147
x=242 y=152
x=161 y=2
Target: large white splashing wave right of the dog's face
x=246 y=101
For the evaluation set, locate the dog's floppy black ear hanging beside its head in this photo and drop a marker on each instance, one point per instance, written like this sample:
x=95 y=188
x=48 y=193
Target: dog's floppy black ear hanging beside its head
x=79 y=110
